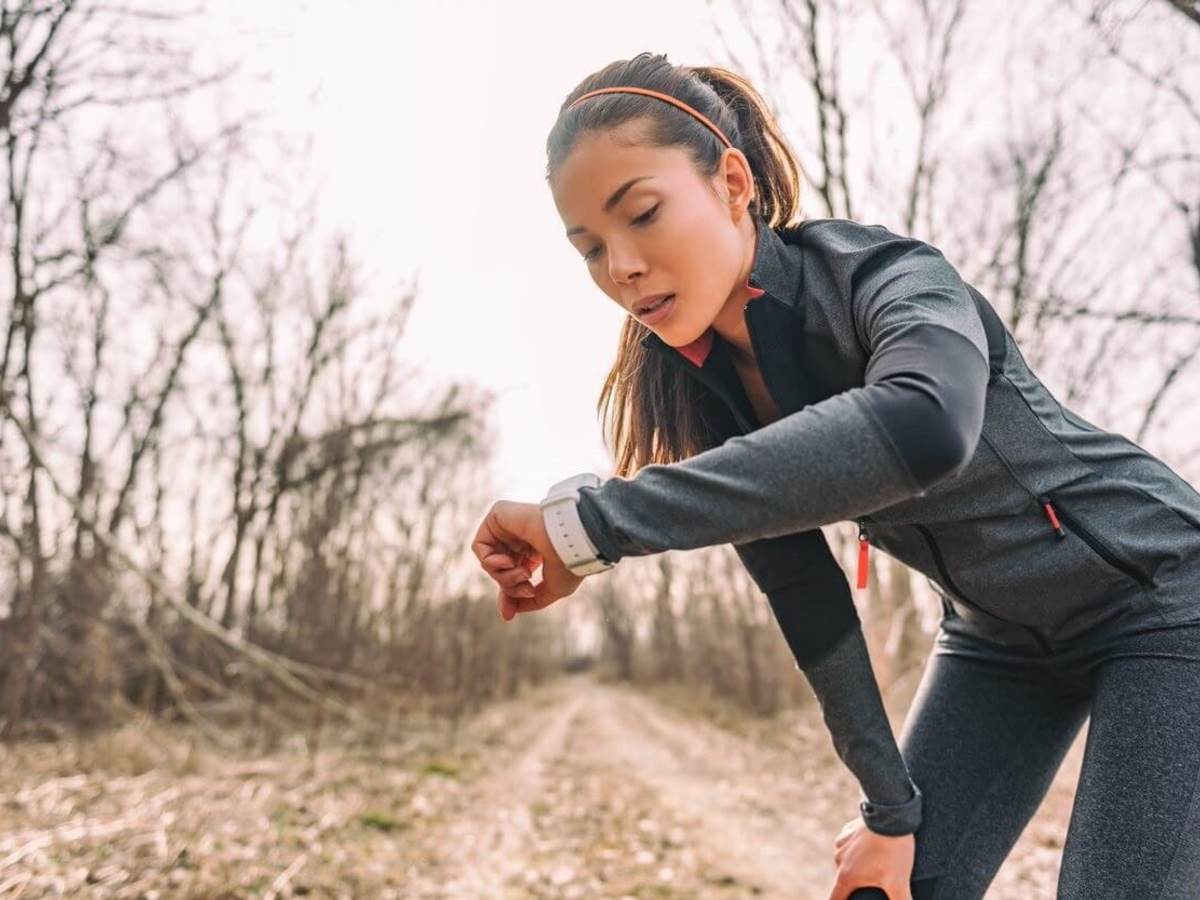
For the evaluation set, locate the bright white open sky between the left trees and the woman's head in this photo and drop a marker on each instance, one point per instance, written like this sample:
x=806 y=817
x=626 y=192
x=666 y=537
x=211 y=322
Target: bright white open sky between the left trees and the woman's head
x=430 y=124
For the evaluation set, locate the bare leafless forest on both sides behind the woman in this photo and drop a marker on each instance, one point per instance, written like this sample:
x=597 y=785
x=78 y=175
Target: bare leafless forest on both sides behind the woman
x=225 y=495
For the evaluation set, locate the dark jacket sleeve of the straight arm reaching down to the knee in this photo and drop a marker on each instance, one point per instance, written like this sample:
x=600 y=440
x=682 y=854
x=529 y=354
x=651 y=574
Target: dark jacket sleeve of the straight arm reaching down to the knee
x=811 y=599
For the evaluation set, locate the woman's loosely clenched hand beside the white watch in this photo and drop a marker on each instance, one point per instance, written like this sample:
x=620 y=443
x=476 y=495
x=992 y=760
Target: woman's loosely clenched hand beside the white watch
x=511 y=544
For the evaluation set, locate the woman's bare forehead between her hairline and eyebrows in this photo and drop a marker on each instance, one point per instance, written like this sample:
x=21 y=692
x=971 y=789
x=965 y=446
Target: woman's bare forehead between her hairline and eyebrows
x=599 y=165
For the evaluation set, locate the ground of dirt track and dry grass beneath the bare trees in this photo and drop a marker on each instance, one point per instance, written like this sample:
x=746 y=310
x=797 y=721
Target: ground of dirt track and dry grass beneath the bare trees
x=577 y=790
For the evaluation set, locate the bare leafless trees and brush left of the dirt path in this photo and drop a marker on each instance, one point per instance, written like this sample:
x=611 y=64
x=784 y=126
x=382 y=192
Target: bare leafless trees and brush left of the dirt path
x=233 y=417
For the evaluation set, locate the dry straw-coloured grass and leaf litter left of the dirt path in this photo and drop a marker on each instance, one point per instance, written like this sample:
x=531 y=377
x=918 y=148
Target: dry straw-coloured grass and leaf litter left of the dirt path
x=153 y=812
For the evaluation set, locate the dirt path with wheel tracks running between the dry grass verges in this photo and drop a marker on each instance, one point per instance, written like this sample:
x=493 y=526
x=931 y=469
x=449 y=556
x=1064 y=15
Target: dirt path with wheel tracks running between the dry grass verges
x=623 y=796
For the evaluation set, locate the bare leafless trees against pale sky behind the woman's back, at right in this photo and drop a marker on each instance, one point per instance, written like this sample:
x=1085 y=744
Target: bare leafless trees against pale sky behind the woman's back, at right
x=951 y=125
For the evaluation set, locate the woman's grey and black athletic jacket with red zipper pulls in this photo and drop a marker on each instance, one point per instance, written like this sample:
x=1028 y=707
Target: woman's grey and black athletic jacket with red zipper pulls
x=908 y=407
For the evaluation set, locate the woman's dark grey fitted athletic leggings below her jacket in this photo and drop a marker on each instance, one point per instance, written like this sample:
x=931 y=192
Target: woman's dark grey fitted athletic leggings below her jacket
x=988 y=730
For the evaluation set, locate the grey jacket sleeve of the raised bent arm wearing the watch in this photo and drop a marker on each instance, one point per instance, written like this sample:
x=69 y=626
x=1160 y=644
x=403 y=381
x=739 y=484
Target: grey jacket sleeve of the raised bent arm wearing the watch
x=915 y=422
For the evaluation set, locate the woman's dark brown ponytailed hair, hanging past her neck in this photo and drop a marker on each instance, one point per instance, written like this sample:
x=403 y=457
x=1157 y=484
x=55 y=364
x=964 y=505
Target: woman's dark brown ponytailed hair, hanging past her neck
x=652 y=412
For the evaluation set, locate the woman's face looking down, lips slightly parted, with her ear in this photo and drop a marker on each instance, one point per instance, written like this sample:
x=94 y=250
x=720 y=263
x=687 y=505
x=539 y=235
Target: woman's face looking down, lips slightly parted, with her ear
x=646 y=224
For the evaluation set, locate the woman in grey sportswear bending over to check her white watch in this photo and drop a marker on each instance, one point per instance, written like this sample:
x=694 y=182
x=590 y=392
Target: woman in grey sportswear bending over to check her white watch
x=776 y=376
